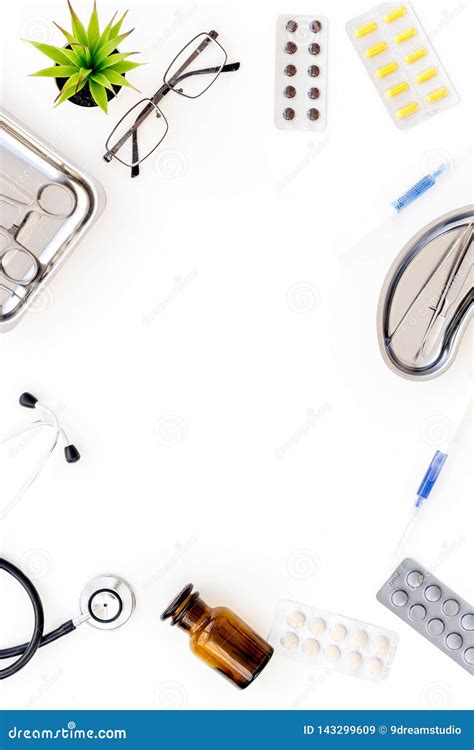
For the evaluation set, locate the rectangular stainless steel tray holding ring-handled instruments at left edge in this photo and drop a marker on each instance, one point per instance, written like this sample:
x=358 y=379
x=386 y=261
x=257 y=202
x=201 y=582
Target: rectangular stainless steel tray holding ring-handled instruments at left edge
x=47 y=204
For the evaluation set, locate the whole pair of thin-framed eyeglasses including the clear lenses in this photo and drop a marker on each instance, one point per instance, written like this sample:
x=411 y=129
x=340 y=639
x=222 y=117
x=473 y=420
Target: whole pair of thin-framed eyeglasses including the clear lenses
x=190 y=74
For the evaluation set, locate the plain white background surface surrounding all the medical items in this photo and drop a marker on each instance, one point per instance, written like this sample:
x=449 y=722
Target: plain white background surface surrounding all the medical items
x=215 y=303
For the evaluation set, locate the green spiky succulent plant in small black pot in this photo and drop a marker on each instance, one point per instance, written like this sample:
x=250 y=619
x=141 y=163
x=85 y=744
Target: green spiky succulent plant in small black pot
x=89 y=59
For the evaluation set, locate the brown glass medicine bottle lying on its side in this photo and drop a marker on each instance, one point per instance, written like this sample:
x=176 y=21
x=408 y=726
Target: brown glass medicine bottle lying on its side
x=219 y=637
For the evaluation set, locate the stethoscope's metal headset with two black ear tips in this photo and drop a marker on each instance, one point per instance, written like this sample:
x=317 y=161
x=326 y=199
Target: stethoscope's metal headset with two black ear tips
x=48 y=418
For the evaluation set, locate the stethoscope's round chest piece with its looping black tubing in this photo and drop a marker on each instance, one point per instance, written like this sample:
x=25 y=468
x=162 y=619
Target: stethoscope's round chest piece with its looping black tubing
x=107 y=602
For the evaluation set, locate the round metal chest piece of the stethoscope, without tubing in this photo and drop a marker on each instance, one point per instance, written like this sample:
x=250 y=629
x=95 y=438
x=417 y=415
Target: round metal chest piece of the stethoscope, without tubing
x=108 y=602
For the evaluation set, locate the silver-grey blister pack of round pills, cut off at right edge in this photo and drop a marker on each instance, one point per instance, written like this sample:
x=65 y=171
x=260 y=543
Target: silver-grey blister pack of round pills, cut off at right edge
x=433 y=609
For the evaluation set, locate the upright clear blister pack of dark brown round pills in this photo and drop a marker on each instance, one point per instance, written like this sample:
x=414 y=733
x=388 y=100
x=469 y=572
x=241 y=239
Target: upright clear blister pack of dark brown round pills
x=301 y=63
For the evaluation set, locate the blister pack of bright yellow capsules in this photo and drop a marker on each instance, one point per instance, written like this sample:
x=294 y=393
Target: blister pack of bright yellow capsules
x=402 y=63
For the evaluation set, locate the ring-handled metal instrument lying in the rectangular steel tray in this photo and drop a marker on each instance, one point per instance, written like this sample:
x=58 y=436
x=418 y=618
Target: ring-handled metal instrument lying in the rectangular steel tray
x=17 y=263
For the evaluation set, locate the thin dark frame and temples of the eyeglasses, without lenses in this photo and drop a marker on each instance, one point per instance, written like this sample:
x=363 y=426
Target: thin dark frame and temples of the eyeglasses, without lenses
x=111 y=152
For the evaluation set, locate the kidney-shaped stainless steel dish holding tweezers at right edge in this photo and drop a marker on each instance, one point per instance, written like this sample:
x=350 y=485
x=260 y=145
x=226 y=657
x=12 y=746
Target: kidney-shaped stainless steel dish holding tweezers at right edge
x=428 y=297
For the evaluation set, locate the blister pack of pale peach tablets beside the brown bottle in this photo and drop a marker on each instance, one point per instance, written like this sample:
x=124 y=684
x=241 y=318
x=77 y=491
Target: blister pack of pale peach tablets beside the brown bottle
x=332 y=641
